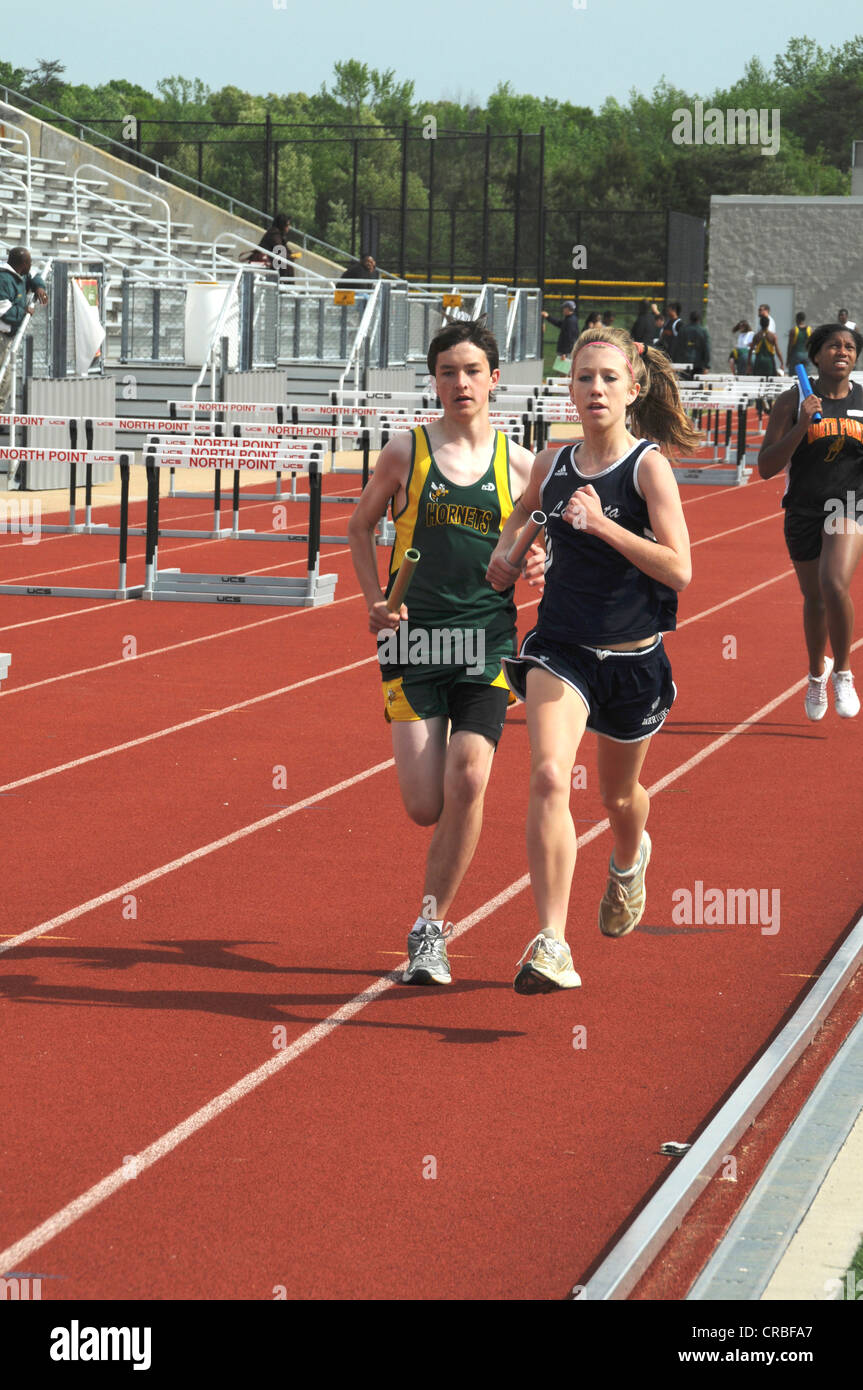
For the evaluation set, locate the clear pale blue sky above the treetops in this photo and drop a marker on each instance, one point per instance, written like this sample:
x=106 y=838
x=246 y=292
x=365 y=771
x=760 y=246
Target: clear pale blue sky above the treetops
x=447 y=48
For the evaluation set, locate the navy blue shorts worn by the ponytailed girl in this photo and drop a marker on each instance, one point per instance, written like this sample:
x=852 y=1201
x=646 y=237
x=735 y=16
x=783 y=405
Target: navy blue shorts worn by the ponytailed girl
x=627 y=694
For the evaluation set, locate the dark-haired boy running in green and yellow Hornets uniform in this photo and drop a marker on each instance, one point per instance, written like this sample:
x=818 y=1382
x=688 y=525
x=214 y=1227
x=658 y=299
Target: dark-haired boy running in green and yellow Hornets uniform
x=452 y=486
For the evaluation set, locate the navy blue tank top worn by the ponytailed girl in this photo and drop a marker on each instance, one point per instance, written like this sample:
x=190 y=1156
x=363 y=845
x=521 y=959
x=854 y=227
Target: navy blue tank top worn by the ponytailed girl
x=593 y=593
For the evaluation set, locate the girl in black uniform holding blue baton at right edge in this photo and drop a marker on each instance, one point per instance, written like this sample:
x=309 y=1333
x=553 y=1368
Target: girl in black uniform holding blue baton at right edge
x=823 y=507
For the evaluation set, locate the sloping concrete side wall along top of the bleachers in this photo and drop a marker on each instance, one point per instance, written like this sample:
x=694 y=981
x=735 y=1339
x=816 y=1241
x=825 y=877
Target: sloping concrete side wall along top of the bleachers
x=206 y=222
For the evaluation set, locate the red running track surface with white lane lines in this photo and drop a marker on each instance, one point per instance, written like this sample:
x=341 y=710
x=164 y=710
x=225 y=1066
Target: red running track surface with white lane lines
x=215 y=1088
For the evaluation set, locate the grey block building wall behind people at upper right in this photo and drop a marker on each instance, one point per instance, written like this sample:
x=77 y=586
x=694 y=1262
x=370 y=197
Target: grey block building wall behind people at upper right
x=812 y=244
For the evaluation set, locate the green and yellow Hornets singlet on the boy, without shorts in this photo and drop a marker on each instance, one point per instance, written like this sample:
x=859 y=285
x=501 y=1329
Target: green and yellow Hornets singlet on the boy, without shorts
x=457 y=530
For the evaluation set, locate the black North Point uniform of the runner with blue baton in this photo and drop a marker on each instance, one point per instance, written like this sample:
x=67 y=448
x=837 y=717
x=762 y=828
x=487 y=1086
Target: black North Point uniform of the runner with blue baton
x=825 y=476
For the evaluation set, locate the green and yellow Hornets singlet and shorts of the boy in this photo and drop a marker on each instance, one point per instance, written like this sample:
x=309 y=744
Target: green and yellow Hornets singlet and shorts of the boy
x=445 y=660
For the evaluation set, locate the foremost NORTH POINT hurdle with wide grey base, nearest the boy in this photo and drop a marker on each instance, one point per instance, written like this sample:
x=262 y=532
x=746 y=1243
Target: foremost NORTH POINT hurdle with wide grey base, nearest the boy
x=173 y=586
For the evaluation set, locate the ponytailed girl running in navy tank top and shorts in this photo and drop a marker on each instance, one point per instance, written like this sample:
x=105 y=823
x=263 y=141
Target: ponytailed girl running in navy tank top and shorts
x=618 y=557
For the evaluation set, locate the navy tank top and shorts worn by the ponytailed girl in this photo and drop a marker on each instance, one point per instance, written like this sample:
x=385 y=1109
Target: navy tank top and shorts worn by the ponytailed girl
x=595 y=597
